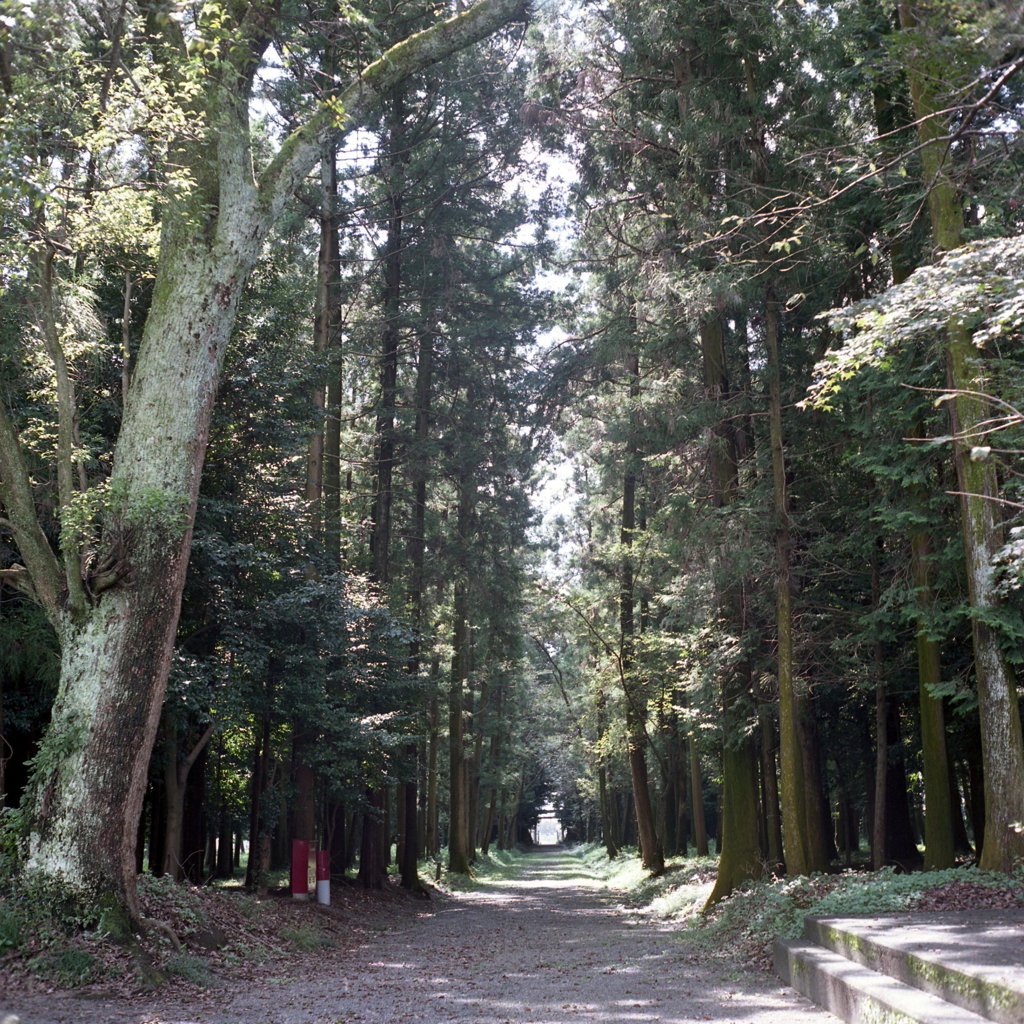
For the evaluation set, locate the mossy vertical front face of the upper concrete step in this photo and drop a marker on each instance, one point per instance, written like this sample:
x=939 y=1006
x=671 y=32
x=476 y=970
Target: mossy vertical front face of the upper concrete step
x=982 y=996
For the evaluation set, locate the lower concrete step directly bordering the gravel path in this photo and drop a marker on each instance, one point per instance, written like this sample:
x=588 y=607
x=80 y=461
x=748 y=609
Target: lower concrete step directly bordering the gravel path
x=858 y=995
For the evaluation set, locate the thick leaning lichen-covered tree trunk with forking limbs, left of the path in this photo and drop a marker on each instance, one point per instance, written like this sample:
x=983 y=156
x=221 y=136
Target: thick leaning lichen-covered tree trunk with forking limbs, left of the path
x=117 y=633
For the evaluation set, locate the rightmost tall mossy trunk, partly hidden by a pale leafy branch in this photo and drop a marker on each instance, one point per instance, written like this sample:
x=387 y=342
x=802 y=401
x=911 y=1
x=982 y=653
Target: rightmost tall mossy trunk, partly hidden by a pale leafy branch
x=1003 y=750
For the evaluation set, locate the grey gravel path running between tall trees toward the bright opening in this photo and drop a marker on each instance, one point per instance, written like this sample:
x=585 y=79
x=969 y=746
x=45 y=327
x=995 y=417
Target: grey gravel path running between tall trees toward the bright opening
x=543 y=949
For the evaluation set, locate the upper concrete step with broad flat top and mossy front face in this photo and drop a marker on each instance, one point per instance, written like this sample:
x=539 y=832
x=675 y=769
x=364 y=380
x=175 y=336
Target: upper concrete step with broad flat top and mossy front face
x=974 y=960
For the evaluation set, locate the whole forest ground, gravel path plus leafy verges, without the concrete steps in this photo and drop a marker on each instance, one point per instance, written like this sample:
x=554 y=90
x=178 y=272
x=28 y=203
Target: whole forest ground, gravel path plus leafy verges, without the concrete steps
x=553 y=937
